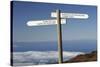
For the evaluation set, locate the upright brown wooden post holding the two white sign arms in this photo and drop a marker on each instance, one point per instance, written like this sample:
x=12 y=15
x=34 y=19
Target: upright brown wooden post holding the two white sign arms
x=59 y=33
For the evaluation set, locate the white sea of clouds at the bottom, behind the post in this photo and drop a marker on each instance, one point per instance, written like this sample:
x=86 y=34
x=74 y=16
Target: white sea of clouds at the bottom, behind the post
x=40 y=57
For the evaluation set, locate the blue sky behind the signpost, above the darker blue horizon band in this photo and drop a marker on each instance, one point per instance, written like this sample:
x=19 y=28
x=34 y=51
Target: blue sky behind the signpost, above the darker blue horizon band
x=74 y=29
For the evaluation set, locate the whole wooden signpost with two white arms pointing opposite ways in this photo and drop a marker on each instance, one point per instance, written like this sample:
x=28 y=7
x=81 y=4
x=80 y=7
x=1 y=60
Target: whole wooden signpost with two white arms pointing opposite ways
x=60 y=19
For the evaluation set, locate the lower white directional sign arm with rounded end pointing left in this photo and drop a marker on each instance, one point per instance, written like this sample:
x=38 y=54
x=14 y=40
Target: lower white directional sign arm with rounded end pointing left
x=45 y=22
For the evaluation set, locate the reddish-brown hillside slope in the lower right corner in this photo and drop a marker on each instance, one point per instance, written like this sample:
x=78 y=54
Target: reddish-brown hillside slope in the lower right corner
x=84 y=58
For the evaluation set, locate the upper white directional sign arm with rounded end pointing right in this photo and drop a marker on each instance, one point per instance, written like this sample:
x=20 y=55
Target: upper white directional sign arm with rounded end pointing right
x=71 y=15
